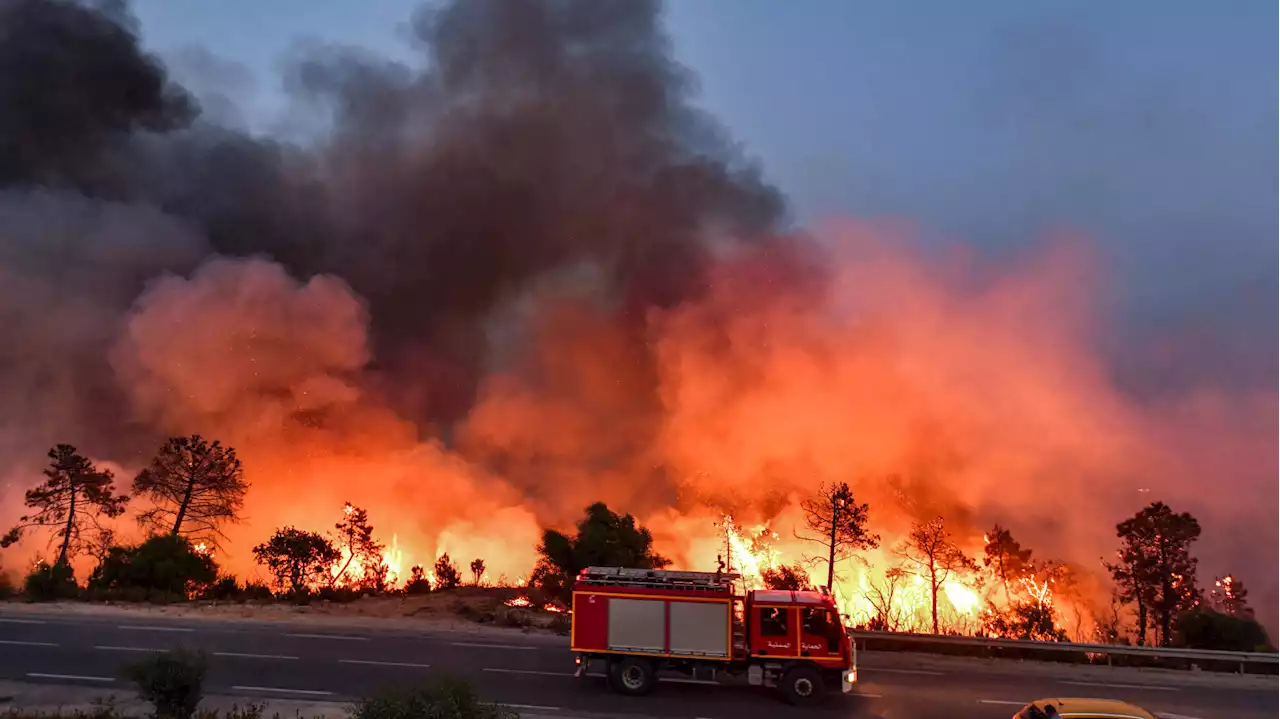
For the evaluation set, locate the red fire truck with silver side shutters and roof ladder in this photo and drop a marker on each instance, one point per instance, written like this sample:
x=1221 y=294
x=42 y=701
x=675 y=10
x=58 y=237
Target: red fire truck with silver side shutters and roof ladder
x=638 y=624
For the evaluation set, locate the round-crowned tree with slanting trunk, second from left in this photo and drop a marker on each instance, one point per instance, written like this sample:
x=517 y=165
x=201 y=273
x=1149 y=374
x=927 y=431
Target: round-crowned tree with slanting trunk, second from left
x=195 y=486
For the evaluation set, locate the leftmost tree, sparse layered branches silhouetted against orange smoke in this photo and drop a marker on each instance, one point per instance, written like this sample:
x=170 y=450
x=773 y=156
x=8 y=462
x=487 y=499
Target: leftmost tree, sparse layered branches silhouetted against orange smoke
x=72 y=498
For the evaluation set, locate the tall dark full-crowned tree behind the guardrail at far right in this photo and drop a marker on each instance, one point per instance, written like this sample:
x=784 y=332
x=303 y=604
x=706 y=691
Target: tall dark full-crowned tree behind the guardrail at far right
x=1155 y=569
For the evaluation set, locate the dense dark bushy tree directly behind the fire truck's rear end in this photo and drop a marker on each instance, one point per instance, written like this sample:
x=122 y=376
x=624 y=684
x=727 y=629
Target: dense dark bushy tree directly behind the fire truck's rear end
x=604 y=539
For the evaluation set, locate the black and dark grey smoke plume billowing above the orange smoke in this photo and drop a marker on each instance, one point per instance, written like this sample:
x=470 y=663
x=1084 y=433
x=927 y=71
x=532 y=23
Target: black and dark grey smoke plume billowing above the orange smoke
x=545 y=135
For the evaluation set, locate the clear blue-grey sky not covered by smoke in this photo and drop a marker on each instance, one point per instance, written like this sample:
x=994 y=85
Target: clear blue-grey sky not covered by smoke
x=1150 y=126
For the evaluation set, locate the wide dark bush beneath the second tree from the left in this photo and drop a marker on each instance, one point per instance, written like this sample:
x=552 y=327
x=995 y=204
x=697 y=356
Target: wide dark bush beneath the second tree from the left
x=163 y=569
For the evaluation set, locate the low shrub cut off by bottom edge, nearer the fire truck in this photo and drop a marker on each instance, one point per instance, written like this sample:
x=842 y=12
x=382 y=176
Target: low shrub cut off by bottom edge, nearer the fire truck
x=442 y=697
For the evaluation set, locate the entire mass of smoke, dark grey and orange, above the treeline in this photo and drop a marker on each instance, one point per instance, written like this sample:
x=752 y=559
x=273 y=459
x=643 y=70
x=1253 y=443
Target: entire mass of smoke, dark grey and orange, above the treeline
x=534 y=276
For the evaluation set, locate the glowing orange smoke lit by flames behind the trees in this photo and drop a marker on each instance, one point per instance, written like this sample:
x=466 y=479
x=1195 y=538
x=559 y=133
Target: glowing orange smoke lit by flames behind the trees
x=932 y=382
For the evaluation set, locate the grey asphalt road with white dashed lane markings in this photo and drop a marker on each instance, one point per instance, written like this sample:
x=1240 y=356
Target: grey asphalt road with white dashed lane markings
x=536 y=674
